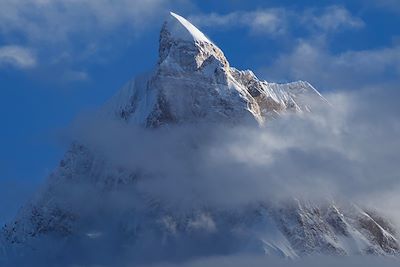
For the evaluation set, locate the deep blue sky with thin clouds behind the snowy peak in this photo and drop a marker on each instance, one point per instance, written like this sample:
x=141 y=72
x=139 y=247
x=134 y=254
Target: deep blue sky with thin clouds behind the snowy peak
x=59 y=59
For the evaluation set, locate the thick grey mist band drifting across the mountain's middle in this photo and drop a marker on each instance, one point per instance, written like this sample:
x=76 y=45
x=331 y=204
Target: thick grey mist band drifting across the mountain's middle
x=345 y=150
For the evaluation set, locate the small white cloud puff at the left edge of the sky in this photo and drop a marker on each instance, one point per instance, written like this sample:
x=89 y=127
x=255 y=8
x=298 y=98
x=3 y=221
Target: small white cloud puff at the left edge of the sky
x=16 y=56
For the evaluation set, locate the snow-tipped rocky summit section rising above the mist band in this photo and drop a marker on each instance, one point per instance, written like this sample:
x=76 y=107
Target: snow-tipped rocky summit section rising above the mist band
x=193 y=81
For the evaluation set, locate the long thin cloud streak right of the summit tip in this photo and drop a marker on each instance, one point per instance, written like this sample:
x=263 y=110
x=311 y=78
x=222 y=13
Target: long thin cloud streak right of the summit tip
x=278 y=21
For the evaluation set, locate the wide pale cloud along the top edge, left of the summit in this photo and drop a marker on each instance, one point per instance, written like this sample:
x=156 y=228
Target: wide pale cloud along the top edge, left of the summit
x=57 y=20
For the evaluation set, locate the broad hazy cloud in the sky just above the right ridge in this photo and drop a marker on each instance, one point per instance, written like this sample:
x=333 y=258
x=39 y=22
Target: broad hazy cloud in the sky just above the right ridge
x=311 y=60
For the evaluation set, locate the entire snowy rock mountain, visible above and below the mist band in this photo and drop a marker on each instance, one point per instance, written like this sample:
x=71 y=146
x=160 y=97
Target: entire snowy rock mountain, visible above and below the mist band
x=192 y=82
